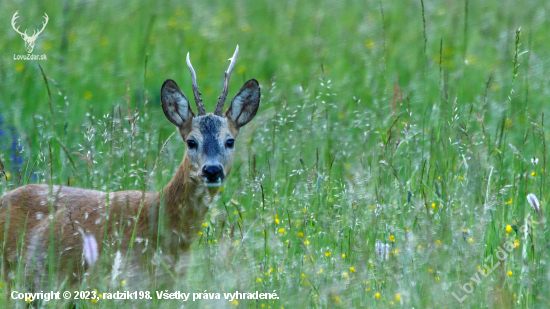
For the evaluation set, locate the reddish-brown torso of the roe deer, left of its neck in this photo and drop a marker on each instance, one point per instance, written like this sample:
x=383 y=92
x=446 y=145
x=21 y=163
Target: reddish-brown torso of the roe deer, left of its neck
x=27 y=211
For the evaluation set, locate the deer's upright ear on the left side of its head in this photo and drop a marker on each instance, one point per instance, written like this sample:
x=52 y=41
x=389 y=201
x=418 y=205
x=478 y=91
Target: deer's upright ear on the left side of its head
x=174 y=104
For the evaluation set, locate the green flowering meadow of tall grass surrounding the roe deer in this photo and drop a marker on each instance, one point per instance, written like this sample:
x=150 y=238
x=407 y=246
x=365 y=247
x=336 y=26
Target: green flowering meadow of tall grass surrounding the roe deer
x=388 y=166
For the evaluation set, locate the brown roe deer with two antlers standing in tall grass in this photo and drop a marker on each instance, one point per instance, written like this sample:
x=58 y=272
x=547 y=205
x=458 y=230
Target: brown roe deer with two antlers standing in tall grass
x=39 y=214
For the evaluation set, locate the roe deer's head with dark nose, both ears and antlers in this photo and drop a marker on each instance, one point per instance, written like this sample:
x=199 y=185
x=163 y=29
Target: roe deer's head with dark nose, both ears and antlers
x=210 y=138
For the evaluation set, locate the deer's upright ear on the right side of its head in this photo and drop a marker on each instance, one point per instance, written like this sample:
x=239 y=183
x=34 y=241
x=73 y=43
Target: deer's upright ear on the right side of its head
x=244 y=105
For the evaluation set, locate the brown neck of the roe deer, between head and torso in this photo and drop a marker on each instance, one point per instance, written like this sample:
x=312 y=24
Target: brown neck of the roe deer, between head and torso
x=186 y=202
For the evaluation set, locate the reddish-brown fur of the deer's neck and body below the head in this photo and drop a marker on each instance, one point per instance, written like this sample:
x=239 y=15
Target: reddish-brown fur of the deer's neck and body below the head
x=27 y=210
